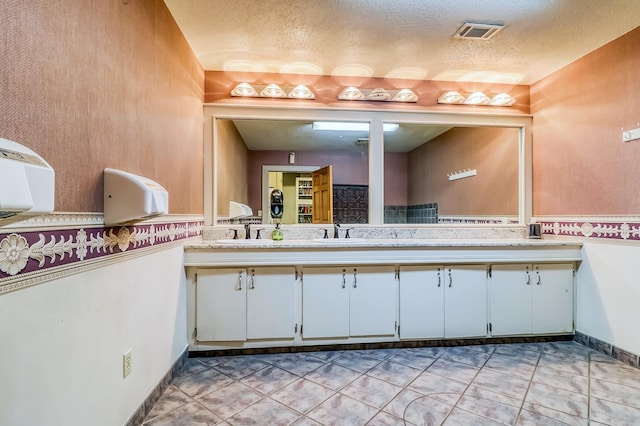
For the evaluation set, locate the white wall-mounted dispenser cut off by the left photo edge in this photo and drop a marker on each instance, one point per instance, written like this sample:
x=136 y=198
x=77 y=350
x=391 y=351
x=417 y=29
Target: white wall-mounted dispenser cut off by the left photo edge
x=27 y=182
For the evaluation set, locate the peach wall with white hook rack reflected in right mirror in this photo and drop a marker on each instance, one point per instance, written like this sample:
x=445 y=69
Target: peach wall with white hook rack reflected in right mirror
x=493 y=152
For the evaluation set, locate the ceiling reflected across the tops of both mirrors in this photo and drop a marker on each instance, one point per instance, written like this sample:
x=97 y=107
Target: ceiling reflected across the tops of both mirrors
x=280 y=135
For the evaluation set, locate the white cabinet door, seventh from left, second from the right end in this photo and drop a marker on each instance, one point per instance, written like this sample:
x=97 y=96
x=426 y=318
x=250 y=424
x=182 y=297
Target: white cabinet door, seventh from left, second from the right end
x=511 y=299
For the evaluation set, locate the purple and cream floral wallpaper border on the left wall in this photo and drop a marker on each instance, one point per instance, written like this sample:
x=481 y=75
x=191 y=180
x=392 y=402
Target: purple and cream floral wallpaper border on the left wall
x=27 y=251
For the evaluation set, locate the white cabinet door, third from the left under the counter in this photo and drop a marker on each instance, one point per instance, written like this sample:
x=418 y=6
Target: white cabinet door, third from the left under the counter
x=325 y=302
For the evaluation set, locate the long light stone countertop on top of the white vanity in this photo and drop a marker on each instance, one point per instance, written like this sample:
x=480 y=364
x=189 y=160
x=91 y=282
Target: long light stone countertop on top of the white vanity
x=374 y=243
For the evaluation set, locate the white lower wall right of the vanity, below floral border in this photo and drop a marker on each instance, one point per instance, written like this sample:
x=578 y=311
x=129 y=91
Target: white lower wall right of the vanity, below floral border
x=609 y=293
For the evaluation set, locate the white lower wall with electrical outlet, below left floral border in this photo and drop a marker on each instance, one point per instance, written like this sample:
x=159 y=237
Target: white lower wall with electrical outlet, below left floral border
x=63 y=341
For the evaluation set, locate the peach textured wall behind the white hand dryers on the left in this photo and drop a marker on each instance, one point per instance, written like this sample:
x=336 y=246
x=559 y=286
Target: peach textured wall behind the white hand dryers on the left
x=90 y=85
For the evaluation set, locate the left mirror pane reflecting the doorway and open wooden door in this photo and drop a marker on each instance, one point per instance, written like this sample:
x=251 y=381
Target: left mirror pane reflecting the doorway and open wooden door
x=290 y=151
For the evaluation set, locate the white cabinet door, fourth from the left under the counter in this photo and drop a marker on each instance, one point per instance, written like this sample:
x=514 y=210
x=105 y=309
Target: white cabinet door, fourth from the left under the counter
x=373 y=297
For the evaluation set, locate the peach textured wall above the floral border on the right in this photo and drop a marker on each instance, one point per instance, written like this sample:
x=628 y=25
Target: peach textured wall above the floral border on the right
x=580 y=164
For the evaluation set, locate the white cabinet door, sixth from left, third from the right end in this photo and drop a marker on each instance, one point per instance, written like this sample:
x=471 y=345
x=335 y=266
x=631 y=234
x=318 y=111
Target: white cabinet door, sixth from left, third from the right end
x=465 y=307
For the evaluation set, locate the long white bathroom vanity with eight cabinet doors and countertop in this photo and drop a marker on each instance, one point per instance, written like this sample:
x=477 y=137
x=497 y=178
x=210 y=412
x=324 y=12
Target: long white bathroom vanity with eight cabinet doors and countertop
x=297 y=292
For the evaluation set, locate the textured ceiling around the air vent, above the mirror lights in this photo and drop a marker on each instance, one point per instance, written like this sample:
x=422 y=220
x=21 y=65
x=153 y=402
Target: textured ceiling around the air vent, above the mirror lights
x=401 y=38
